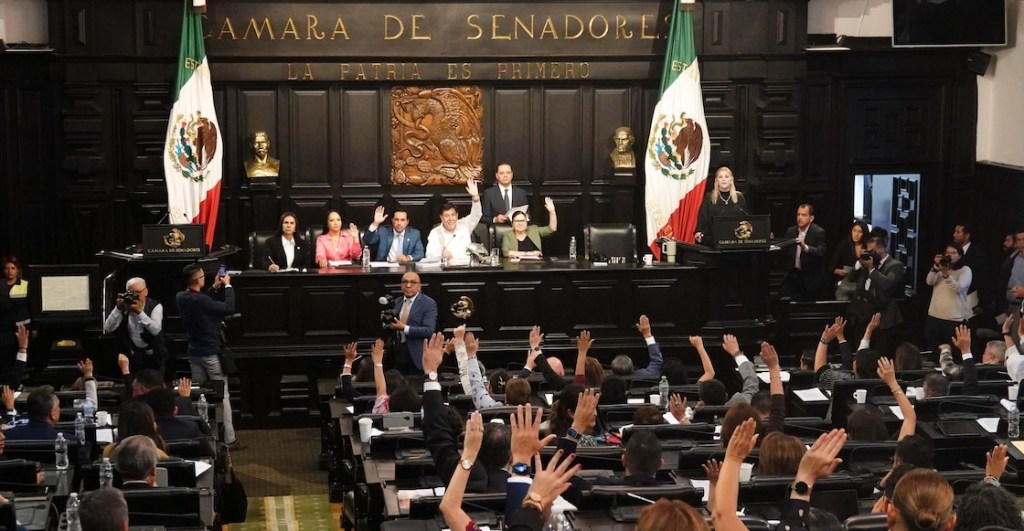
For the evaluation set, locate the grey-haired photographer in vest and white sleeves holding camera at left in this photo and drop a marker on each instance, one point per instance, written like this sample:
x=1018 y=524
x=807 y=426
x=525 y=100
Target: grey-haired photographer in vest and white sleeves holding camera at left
x=141 y=335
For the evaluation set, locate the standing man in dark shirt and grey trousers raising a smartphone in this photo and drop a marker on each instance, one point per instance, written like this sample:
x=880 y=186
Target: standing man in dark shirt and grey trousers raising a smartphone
x=202 y=313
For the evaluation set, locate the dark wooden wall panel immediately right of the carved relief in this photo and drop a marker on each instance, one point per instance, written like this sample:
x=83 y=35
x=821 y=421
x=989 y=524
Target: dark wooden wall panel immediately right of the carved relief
x=510 y=127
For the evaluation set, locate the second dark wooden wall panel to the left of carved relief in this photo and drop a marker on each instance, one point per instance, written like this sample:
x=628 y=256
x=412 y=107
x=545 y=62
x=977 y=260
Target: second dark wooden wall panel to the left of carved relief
x=310 y=129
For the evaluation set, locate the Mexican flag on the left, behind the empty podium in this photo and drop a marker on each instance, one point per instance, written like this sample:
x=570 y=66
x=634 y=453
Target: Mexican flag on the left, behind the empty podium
x=193 y=162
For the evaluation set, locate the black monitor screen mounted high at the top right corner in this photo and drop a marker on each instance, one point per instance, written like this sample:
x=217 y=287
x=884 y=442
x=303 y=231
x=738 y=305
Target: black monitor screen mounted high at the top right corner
x=950 y=23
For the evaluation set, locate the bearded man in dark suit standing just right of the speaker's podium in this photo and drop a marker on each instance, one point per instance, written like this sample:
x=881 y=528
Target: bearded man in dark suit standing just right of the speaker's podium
x=806 y=276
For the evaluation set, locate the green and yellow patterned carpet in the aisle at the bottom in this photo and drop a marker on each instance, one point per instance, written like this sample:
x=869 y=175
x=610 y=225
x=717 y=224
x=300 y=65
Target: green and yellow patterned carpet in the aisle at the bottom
x=311 y=512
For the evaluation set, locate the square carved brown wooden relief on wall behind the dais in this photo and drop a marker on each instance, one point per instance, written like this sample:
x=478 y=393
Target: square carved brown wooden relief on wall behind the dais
x=437 y=136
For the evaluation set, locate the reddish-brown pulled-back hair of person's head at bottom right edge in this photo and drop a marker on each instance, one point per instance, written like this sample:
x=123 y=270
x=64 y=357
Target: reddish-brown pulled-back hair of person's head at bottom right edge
x=923 y=501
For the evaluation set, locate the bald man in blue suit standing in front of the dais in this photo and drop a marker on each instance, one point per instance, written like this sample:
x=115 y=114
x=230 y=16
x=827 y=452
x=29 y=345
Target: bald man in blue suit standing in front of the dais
x=417 y=320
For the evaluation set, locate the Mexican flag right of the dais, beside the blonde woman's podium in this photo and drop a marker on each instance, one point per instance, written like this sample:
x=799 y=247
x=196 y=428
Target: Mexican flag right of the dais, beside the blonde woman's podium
x=679 y=147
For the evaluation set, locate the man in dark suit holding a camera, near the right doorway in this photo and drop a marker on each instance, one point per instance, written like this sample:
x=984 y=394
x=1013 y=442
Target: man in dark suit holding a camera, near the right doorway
x=880 y=285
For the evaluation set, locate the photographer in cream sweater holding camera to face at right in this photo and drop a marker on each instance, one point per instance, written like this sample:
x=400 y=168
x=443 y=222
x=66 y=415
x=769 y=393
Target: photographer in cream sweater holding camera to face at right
x=951 y=280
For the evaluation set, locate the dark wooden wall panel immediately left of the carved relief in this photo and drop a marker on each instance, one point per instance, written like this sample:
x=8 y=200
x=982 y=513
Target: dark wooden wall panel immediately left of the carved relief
x=363 y=151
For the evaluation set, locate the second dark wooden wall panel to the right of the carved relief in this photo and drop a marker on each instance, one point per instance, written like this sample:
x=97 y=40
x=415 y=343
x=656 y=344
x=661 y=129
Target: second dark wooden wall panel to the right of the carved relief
x=564 y=128
